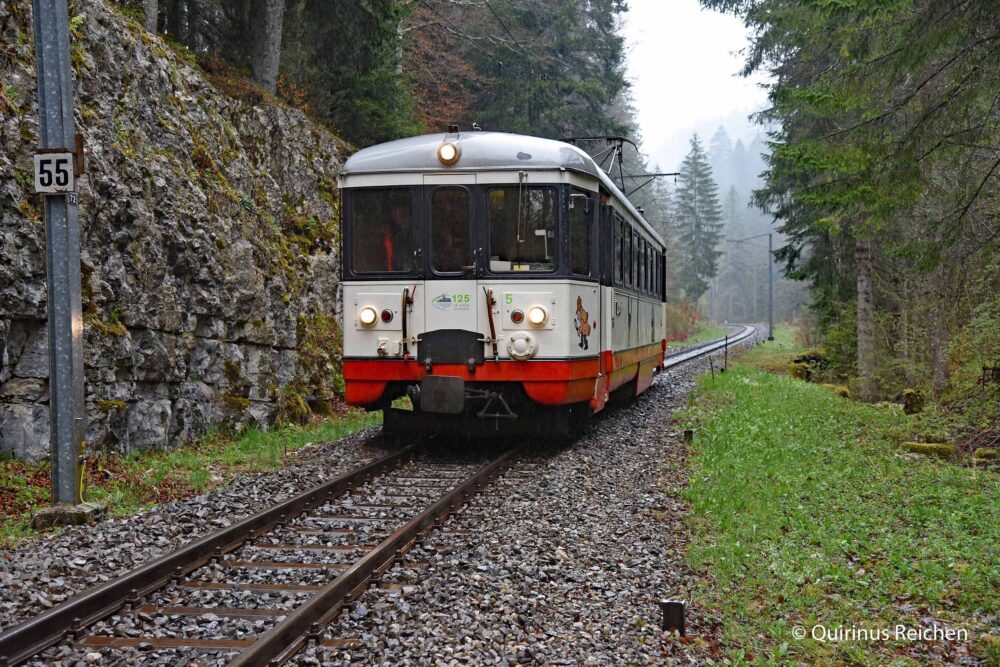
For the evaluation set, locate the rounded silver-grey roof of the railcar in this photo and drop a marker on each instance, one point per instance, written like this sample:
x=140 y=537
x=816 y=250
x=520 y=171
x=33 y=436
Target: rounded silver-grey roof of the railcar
x=484 y=151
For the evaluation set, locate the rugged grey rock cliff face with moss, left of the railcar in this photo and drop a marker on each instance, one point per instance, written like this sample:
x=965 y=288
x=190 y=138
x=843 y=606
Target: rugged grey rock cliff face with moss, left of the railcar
x=209 y=245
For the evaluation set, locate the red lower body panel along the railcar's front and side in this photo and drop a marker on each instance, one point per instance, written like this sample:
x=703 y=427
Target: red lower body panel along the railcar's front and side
x=545 y=382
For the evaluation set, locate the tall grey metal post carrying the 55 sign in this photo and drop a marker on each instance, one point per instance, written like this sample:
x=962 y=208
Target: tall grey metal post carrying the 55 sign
x=57 y=163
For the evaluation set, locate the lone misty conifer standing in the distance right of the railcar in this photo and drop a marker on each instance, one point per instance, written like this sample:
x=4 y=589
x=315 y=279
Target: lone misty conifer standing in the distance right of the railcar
x=698 y=218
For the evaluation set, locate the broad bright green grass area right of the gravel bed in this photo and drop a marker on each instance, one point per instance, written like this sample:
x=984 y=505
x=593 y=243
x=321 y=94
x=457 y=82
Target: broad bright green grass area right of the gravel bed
x=805 y=512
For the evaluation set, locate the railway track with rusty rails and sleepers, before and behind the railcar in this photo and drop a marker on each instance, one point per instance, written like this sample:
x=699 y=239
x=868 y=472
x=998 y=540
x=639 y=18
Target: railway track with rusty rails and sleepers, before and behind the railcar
x=268 y=585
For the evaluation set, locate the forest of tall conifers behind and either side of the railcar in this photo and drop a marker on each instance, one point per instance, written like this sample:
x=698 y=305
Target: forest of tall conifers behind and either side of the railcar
x=875 y=165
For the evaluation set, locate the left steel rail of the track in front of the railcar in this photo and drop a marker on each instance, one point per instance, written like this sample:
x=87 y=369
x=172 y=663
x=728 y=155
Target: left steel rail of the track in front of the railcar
x=36 y=634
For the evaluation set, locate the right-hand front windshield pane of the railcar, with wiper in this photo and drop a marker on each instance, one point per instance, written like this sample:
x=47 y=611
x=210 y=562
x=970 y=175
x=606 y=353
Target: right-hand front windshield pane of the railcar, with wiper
x=522 y=224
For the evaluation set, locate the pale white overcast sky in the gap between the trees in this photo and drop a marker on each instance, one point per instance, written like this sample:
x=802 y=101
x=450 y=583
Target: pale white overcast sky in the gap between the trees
x=683 y=65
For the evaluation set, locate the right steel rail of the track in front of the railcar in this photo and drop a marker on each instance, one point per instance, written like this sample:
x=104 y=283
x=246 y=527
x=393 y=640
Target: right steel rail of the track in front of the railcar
x=304 y=624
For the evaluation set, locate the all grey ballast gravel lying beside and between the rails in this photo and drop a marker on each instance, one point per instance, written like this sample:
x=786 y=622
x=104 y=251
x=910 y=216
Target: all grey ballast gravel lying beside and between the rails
x=561 y=561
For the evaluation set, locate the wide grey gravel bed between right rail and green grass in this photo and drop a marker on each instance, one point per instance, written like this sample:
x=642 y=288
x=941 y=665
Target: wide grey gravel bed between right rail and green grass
x=562 y=562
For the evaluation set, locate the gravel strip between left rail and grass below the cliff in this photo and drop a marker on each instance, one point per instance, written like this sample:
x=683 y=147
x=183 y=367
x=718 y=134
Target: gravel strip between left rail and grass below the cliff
x=47 y=571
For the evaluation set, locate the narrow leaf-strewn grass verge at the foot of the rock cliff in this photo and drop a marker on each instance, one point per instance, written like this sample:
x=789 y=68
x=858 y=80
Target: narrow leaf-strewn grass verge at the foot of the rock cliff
x=130 y=483
